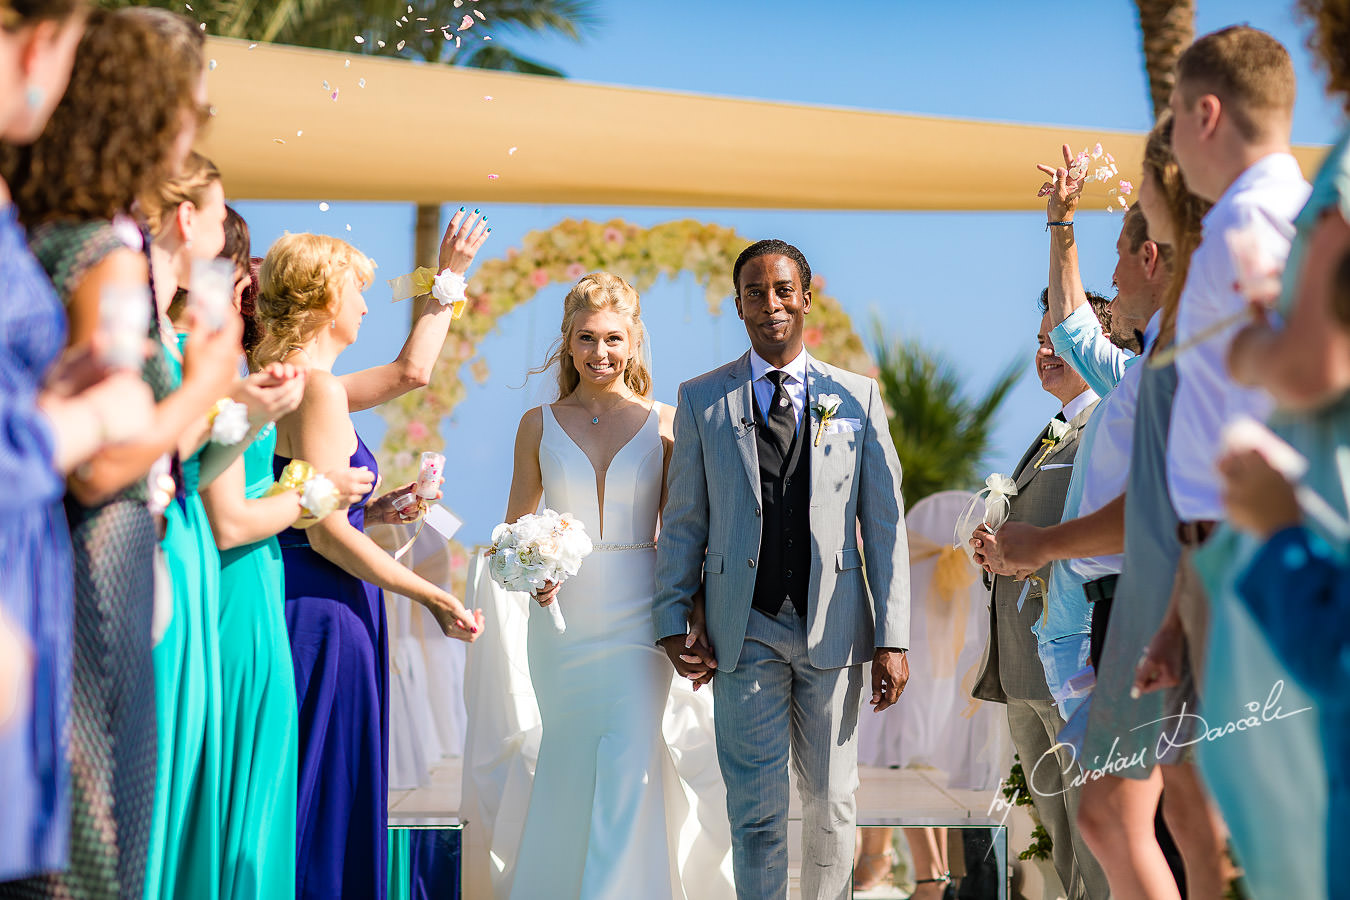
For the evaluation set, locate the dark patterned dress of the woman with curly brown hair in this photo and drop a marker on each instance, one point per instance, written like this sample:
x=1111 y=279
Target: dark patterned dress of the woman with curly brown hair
x=111 y=729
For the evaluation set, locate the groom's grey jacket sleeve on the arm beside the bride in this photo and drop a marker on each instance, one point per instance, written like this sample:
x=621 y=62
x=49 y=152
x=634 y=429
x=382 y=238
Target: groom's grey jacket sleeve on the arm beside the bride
x=684 y=540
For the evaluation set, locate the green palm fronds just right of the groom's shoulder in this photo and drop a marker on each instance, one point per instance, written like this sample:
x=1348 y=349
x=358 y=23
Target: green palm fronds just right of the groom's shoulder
x=940 y=435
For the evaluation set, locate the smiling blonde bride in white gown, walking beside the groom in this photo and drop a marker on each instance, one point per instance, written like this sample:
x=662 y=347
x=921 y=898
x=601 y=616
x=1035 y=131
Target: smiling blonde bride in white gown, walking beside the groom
x=608 y=816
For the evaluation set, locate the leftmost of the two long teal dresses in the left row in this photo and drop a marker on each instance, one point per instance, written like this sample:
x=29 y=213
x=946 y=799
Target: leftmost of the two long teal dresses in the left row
x=187 y=835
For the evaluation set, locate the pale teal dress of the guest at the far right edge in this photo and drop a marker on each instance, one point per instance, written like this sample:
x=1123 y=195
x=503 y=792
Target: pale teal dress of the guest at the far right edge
x=1272 y=782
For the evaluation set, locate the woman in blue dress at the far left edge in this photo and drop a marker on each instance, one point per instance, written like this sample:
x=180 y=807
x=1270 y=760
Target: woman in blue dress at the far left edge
x=55 y=414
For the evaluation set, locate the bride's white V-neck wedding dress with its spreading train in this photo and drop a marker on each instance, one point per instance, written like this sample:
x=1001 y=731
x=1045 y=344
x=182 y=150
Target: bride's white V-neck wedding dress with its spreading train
x=615 y=810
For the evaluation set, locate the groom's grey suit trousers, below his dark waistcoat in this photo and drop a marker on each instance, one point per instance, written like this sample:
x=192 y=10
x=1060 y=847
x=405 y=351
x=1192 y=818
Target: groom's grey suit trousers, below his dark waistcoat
x=774 y=701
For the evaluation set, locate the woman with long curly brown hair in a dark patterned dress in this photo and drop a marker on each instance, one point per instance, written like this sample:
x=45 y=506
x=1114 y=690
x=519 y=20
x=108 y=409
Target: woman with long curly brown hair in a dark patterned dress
x=126 y=122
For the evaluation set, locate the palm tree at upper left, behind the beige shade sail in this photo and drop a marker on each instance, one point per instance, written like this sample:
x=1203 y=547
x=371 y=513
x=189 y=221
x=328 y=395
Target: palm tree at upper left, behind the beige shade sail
x=431 y=32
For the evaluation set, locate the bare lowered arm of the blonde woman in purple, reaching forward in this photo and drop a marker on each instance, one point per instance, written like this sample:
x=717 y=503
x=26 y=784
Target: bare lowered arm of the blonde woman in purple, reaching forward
x=321 y=432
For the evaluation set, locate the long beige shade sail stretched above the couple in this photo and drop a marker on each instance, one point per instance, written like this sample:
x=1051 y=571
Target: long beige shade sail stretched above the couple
x=298 y=125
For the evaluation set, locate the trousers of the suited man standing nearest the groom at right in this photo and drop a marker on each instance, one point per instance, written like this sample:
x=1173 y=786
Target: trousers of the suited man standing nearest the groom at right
x=1035 y=725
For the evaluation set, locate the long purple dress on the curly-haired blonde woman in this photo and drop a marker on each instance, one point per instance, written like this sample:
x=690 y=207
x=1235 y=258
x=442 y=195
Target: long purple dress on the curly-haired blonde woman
x=340 y=647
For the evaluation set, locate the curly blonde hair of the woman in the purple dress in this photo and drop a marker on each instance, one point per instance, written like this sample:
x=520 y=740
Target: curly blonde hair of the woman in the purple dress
x=298 y=291
